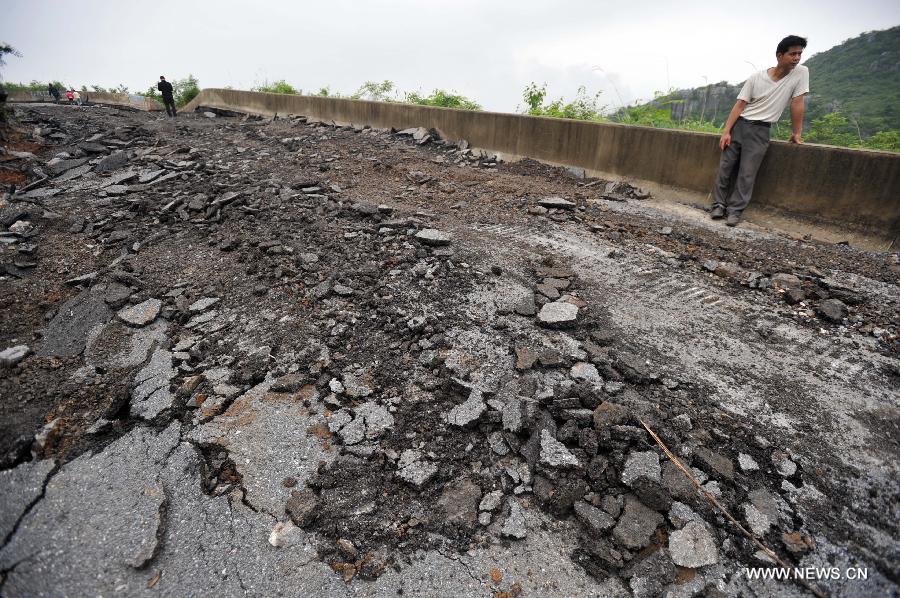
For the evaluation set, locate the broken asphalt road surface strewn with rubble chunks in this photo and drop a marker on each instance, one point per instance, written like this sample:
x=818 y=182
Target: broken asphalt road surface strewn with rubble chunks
x=255 y=357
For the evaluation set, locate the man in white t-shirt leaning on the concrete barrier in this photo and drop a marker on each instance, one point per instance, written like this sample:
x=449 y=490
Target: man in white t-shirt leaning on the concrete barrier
x=745 y=137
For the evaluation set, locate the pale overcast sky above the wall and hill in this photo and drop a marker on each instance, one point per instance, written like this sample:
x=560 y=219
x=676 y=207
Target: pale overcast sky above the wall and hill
x=488 y=50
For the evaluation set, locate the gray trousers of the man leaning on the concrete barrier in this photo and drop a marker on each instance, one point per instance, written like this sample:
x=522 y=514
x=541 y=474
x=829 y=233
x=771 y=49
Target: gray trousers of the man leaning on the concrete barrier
x=748 y=147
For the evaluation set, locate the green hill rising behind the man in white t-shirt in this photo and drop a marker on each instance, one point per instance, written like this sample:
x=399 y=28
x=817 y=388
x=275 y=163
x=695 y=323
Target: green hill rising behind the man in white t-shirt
x=859 y=78
